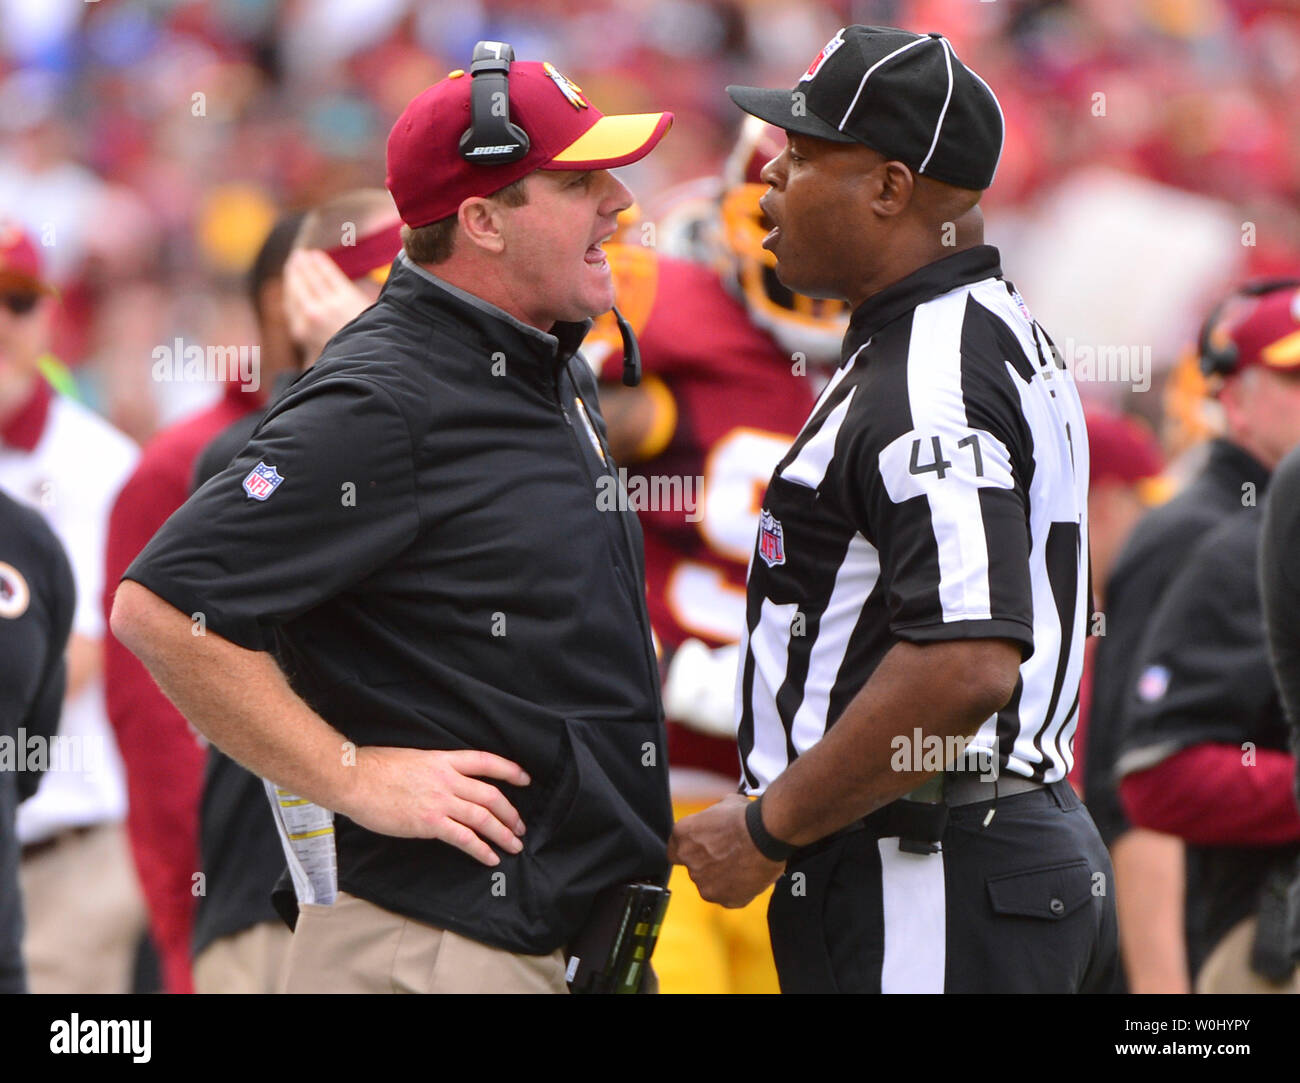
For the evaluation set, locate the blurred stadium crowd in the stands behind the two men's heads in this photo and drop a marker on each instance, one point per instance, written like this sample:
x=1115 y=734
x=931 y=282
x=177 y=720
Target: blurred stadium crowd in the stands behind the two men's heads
x=1151 y=155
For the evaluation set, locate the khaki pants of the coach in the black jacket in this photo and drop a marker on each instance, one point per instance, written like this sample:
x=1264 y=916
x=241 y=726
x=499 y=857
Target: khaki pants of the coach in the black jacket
x=356 y=947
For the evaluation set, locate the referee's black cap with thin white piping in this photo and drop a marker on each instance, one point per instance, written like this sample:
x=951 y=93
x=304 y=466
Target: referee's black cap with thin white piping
x=903 y=94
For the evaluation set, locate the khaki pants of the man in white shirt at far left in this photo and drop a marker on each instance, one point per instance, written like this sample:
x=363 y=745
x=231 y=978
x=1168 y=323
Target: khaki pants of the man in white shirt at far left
x=84 y=912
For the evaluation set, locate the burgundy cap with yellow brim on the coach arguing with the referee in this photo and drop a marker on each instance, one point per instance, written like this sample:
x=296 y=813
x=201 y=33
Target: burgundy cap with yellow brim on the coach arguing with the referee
x=428 y=177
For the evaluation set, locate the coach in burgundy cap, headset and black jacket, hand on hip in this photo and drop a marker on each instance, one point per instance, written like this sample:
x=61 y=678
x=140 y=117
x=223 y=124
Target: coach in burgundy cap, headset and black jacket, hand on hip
x=417 y=535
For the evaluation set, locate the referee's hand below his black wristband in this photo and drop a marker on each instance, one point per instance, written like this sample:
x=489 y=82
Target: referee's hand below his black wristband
x=720 y=855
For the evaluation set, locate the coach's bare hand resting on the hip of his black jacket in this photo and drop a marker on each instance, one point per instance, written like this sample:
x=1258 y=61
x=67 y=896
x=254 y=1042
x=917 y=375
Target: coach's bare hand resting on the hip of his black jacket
x=414 y=794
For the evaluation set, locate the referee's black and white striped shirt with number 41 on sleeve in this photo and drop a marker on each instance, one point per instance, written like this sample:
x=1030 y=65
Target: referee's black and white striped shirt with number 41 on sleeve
x=938 y=492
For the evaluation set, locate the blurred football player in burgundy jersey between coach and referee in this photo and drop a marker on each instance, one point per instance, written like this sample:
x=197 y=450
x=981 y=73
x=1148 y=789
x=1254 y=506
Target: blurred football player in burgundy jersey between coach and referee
x=730 y=378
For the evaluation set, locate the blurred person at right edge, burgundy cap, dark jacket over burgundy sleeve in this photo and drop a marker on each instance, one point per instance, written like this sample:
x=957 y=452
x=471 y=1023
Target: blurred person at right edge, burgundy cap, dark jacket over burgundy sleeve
x=1203 y=752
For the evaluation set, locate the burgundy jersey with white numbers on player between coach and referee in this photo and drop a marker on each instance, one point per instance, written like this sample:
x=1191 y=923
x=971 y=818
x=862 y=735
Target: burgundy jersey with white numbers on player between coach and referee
x=730 y=404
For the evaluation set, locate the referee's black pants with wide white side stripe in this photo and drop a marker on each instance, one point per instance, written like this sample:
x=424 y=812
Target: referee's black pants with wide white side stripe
x=1022 y=903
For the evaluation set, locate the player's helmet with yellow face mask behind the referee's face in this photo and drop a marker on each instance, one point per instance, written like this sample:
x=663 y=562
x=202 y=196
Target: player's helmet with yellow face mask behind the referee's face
x=800 y=324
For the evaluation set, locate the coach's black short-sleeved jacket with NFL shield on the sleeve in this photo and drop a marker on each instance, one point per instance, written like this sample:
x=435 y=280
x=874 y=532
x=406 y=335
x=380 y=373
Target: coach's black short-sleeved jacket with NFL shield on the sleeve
x=414 y=530
